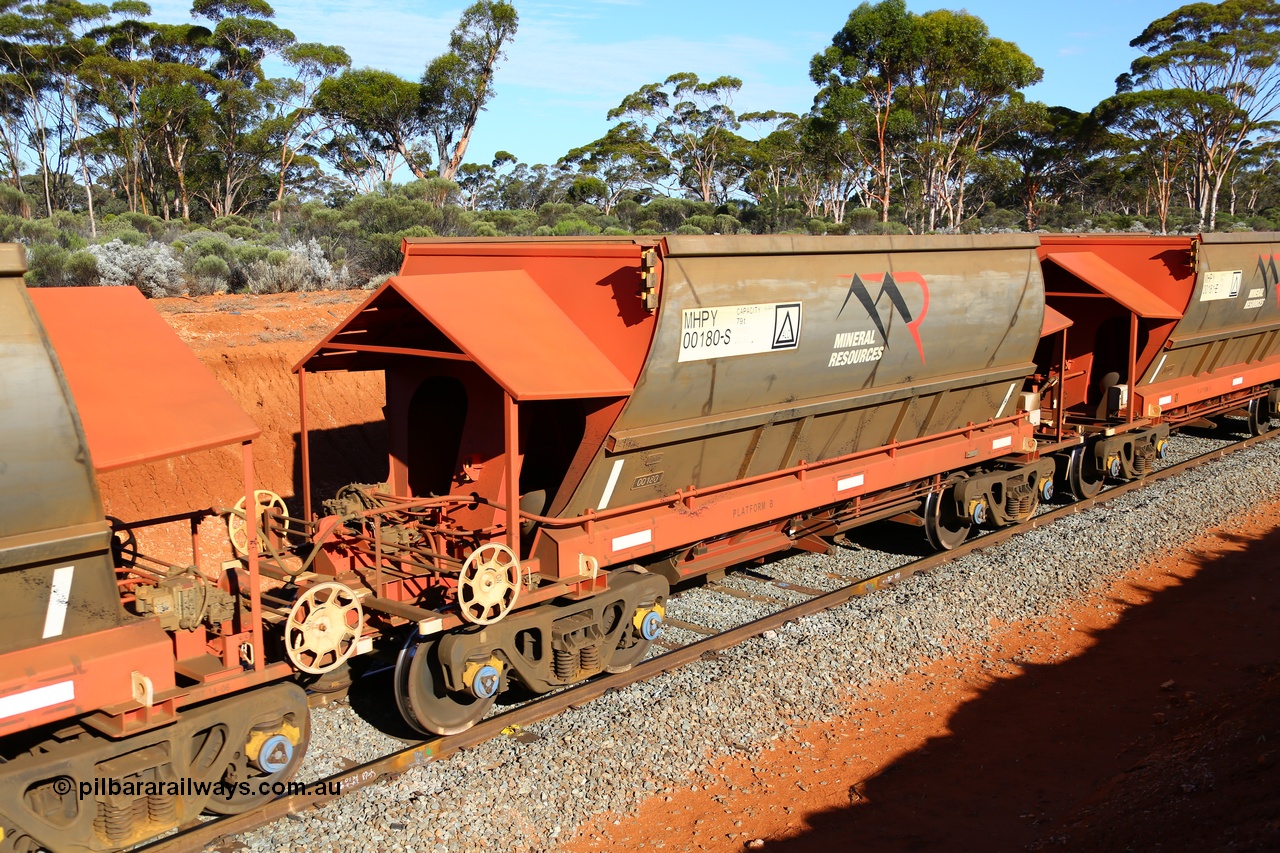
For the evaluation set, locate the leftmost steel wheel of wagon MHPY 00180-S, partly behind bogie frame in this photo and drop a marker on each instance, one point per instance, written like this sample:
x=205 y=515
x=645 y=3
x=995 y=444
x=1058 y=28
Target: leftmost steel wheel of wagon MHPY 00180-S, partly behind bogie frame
x=423 y=699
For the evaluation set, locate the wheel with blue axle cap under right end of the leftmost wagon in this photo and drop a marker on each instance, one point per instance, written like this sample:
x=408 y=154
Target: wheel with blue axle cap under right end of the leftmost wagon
x=272 y=754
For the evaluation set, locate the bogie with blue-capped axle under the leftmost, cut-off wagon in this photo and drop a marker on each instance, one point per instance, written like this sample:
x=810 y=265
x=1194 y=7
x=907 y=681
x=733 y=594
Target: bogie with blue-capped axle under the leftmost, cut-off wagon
x=80 y=791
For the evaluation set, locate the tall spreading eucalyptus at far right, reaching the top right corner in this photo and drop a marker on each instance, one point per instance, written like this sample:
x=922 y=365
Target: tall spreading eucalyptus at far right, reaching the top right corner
x=1220 y=62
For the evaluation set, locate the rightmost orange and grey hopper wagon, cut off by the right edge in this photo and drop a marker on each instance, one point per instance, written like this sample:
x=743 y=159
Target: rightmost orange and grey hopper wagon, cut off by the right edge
x=1156 y=334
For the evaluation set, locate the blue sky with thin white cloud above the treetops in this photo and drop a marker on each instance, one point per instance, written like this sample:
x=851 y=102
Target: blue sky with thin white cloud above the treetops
x=574 y=61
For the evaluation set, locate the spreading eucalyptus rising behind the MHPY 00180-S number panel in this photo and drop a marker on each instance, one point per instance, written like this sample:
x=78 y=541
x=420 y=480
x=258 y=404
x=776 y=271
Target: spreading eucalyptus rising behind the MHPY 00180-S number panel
x=693 y=125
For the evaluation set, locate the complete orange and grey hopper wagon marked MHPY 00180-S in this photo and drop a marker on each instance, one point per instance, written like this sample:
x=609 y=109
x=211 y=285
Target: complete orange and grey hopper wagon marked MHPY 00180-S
x=577 y=426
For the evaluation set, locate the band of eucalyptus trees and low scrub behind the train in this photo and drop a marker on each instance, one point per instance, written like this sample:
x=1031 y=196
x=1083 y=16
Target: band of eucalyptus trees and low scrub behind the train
x=250 y=157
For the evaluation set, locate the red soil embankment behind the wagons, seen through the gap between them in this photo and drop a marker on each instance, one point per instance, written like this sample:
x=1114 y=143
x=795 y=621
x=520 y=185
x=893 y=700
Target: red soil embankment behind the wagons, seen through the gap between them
x=252 y=344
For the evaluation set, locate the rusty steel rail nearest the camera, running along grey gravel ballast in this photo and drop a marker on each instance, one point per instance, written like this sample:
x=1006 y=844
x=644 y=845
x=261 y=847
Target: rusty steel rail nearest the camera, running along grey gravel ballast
x=195 y=838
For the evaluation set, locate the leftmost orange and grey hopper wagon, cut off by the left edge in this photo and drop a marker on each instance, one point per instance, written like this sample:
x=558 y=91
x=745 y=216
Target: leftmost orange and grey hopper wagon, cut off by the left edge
x=117 y=667
